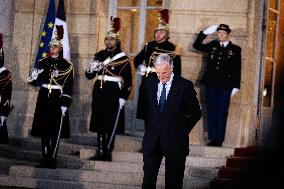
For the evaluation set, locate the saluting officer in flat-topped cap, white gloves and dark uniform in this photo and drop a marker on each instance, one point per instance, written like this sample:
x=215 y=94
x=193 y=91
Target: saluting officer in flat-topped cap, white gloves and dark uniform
x=222 y=78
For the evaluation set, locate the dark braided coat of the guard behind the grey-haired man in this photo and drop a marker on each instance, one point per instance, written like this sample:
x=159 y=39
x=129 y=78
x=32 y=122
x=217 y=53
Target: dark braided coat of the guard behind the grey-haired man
x=148 y=54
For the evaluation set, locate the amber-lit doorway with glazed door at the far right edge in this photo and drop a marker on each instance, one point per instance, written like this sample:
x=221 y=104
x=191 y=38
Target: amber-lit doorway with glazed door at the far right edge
x=271 y=80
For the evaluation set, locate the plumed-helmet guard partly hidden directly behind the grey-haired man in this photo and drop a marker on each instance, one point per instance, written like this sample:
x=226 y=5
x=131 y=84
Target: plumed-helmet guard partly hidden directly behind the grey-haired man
x=143 y=62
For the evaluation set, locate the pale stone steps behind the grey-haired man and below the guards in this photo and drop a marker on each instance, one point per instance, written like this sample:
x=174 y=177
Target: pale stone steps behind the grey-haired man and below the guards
x=18 y=160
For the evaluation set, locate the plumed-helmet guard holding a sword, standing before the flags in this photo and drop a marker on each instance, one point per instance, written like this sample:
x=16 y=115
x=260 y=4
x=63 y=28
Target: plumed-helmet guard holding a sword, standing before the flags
x=54 y=76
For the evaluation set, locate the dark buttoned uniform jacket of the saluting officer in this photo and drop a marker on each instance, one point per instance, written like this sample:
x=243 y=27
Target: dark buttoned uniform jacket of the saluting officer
x=223 y=68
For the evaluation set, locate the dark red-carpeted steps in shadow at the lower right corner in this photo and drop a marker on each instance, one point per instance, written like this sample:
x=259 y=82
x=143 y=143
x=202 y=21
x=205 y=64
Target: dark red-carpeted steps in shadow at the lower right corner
x=251 y=167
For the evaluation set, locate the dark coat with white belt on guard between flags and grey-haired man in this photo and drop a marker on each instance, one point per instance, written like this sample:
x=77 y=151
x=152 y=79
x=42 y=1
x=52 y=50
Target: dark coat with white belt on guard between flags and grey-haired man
x=112 y=81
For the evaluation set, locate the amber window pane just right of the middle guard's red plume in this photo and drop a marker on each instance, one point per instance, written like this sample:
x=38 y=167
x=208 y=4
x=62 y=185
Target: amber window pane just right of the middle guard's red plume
x=129 y=29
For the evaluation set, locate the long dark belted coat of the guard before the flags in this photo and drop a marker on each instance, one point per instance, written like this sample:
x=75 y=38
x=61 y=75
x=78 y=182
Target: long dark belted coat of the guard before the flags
x=56 y=87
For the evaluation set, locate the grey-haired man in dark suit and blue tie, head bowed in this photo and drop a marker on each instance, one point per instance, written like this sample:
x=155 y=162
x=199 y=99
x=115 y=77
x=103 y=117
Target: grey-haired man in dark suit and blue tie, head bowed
x=172 y=110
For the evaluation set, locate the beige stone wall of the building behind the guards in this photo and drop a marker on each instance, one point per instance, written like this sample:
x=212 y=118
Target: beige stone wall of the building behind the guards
x=22 y=22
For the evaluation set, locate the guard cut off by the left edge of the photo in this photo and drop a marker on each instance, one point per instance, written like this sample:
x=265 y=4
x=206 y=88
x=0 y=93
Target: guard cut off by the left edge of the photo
x=5 y=95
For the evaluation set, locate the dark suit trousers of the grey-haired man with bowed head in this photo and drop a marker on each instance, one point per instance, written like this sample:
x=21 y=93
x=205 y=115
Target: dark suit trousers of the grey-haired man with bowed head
x=174 y=169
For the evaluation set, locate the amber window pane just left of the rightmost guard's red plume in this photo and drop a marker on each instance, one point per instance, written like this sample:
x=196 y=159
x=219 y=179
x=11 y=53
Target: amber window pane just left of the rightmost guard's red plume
x=152 y=22
